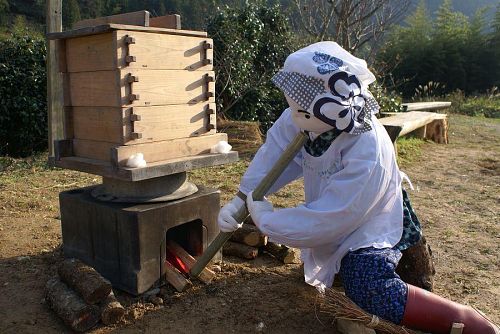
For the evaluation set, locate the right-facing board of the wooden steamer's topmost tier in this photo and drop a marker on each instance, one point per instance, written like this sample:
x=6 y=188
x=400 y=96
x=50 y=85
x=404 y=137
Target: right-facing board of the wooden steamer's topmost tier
x=162 y=51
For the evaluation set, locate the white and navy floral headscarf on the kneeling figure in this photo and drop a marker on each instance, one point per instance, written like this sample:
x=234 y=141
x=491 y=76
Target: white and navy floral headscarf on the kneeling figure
x=332 y=88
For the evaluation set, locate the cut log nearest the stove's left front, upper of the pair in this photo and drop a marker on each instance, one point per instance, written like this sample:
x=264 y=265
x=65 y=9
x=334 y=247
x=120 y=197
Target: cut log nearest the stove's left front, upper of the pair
x=85 y=280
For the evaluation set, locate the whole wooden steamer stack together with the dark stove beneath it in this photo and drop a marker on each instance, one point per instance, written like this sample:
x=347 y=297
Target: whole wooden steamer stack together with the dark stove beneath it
x=132 y=89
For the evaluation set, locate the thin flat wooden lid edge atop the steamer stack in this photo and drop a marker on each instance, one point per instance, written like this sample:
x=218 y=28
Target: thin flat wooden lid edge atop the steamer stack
x=110 y=27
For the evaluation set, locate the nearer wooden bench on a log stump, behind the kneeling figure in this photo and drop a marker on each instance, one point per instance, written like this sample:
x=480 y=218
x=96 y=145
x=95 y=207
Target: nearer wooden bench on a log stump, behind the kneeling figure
x=421 y=124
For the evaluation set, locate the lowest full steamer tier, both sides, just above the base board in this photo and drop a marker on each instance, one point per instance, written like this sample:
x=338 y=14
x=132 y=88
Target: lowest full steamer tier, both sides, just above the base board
x=156 y=123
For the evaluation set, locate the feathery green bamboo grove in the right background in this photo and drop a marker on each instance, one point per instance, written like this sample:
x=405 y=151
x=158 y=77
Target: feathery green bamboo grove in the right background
x=451 y=52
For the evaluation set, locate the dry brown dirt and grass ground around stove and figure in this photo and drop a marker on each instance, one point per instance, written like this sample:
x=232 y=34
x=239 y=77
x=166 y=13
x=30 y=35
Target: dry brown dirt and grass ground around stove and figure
x=457 y=198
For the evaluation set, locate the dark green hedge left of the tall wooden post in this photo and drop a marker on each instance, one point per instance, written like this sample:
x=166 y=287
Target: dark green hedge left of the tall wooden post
x=23 y=108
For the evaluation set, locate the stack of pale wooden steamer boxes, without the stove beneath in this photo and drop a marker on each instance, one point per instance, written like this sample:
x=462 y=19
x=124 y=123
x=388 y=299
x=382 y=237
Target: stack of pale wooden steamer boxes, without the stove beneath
x=132 y=89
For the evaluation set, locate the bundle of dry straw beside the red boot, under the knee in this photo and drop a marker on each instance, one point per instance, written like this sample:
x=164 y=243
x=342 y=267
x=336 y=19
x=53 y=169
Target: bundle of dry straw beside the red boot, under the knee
x=339 y=306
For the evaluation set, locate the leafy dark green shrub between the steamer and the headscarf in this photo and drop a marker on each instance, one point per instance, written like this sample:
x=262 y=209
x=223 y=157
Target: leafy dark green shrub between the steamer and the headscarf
x=251 y=44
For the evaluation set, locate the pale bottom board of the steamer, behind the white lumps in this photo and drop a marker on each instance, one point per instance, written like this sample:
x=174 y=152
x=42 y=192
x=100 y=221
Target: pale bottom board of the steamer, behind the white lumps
x=164 y=150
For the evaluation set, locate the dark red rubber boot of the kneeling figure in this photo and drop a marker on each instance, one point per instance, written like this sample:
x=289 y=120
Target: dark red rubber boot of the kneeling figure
x=428 y=312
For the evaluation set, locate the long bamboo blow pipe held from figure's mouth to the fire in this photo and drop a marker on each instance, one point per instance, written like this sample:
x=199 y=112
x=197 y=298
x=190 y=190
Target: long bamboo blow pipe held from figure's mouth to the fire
x=258 y=194
